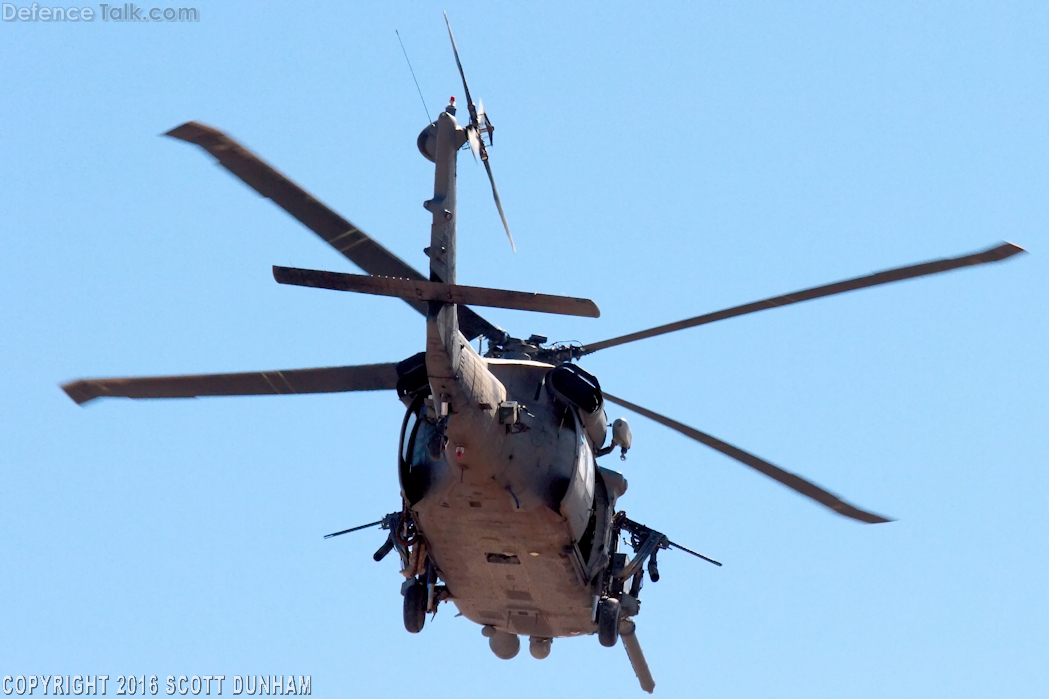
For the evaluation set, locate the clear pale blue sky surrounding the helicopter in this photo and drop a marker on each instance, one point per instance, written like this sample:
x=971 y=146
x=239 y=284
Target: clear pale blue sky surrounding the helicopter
x=662 y=159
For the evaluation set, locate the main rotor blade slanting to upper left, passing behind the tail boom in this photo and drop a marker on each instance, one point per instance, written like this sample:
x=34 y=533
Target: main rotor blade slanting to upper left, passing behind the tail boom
x=338 y=232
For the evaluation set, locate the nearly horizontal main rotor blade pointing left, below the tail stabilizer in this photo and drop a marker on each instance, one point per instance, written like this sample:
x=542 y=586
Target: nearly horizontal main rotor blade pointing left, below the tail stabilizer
x=328 y=380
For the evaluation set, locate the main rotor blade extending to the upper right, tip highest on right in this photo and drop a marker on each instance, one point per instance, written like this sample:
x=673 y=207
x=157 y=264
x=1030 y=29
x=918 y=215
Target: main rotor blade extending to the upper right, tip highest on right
x=995 y=255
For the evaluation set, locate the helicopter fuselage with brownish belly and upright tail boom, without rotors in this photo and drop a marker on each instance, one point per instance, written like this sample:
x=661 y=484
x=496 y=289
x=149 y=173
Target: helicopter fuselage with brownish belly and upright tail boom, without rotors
x=509 y=512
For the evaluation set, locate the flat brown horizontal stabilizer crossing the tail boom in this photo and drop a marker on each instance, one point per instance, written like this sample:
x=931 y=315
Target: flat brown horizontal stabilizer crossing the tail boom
x=435 y=291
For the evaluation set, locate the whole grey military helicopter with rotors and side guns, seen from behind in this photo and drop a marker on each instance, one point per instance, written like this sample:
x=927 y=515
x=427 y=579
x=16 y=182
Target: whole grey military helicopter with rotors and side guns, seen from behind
x=505 y=511
